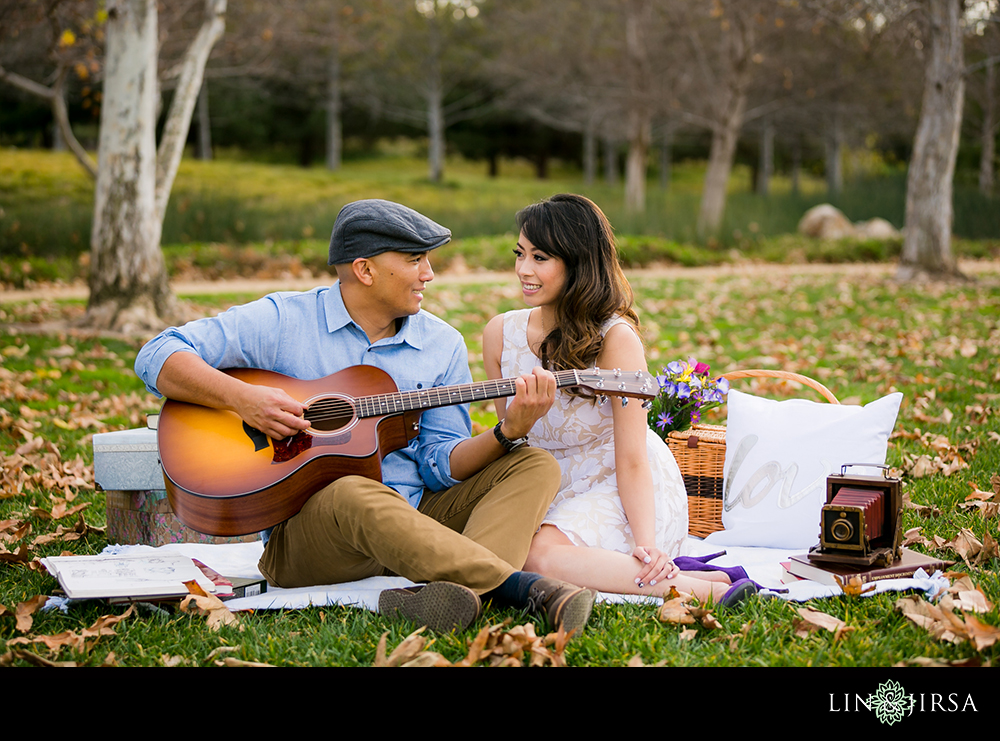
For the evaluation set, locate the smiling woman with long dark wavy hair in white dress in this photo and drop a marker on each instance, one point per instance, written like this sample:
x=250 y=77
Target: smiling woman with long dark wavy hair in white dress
x=621 y=514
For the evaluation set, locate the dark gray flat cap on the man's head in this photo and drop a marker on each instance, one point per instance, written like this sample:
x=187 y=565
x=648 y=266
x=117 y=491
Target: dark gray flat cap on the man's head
x=369 y=228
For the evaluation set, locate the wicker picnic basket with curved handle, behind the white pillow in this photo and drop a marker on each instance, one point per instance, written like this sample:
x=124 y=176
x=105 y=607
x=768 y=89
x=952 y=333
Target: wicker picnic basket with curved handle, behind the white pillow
x=701 y=452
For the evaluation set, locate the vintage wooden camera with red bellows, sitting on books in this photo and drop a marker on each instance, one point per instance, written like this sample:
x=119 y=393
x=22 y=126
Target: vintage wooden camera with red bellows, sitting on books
x=861 y=522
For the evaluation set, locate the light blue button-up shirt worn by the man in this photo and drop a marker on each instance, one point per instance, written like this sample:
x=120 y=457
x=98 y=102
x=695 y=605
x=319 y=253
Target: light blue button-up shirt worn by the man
x=310 y=335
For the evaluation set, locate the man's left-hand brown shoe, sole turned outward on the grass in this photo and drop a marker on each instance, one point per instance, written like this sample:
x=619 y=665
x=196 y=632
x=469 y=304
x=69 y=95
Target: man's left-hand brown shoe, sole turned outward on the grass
x=441 y=605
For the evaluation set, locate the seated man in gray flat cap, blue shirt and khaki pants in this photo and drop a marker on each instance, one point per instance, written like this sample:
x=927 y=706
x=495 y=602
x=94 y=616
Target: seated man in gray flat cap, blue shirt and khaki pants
x=453 y=511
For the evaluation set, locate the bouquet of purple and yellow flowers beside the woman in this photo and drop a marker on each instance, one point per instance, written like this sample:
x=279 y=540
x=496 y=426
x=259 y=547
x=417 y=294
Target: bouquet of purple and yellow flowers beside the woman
x=686 y=391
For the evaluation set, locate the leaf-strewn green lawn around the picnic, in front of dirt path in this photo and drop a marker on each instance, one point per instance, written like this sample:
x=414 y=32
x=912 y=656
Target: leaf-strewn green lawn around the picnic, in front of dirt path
x=861 y=335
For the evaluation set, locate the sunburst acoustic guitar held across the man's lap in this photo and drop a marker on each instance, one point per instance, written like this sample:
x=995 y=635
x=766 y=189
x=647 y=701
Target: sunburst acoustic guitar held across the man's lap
x=224 y=477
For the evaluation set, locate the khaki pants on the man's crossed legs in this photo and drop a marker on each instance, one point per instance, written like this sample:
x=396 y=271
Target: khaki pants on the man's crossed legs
x=476 y=533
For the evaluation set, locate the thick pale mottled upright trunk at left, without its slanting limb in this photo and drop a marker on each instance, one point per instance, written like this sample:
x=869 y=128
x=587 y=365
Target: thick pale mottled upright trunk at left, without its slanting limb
x=128 y=278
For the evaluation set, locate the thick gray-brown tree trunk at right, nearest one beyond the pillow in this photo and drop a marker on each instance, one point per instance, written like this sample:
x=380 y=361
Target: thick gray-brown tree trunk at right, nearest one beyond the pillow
x=927 y=241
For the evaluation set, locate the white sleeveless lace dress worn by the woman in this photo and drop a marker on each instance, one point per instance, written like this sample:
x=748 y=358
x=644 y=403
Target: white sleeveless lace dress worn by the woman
x=580 y=435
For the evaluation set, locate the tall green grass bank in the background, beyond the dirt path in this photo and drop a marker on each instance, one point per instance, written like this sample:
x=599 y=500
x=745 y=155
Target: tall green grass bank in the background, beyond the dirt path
x=46 y=202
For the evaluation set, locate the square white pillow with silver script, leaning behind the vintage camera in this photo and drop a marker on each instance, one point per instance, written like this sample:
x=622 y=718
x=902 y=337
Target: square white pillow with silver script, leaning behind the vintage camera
x=778 y=455
